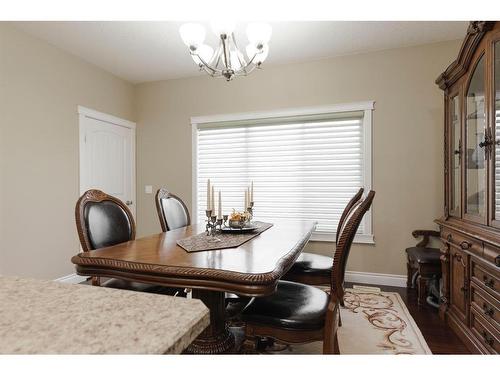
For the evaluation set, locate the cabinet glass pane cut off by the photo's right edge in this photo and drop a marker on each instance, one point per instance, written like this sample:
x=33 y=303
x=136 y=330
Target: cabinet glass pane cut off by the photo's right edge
x=496 y=121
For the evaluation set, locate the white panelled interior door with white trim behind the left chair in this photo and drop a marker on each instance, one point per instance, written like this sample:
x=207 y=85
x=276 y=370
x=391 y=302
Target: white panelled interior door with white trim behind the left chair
x=107 y=155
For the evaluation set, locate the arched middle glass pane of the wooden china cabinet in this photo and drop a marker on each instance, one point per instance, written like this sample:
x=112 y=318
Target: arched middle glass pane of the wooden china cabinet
x=475 y=128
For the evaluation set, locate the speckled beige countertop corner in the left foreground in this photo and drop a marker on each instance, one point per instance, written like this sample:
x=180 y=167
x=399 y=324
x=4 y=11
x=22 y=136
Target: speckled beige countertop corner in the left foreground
x=48 y=317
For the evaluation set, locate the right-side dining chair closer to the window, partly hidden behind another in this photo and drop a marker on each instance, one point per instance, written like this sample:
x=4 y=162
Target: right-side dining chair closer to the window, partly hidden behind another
x=315 y=269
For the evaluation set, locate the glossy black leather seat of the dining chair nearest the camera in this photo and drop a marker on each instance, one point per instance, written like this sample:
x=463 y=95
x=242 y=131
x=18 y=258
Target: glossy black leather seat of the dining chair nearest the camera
x=292 y=306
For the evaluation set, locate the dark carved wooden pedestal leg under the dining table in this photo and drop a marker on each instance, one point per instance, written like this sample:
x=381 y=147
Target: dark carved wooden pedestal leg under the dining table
x=216 y=338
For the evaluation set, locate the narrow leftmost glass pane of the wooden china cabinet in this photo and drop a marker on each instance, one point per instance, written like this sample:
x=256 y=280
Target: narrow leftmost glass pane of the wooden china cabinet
x=456 y=156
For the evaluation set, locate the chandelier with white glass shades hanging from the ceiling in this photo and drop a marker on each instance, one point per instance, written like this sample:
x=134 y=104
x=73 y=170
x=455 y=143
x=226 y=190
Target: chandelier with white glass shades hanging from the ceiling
x=227 y=61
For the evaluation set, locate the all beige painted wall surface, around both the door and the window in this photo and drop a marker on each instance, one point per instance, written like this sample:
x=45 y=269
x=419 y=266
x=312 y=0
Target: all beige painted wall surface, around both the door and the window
x=41 y=86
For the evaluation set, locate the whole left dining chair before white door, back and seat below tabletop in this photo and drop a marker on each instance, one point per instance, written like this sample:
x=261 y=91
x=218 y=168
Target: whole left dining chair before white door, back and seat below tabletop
x=103 y=220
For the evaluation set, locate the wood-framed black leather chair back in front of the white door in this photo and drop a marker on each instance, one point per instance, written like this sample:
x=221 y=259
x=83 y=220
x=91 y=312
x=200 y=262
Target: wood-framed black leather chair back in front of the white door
x=103 y=220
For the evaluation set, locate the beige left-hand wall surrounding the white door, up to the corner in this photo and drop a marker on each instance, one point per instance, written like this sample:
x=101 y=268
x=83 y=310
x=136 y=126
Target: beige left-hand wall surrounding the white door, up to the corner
x=40 y=88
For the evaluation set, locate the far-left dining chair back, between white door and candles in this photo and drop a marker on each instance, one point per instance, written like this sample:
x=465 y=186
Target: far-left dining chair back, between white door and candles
x=172 y=211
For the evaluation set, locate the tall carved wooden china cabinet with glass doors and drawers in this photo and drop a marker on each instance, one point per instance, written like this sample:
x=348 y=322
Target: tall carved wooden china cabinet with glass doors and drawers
x=470 y=227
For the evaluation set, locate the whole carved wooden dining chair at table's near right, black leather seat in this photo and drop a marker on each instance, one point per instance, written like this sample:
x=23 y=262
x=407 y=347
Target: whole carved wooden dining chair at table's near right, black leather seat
x=299 y=313
